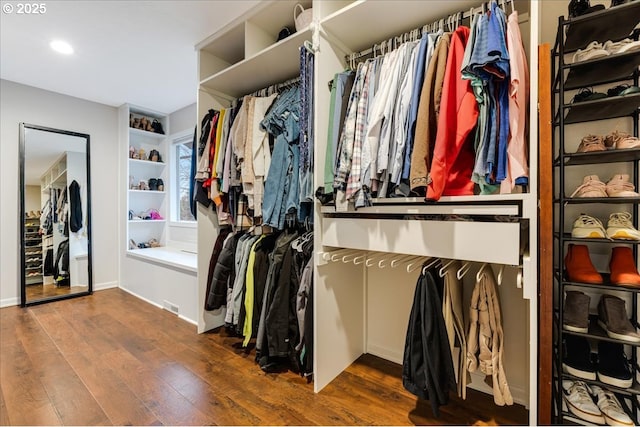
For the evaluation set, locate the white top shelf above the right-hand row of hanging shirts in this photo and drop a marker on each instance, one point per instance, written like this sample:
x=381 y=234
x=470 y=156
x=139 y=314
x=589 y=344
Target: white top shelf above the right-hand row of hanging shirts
x=353 y=24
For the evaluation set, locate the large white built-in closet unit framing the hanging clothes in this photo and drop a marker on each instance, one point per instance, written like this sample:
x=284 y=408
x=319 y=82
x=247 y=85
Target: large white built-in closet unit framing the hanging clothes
x=357 y=312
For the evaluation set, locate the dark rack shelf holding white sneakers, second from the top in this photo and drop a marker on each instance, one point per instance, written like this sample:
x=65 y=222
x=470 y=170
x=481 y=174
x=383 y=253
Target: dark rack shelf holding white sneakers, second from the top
x=602 y=70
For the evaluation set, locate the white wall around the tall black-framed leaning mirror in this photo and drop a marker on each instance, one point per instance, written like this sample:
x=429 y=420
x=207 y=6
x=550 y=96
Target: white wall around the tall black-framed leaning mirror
x=20 y=103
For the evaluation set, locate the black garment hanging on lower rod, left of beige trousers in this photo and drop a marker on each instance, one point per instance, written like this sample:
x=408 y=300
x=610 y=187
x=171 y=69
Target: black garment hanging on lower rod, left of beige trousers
x=427 y=367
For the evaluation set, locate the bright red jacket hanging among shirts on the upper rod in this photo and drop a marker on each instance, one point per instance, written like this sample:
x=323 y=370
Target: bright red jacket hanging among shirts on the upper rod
x=453 y=156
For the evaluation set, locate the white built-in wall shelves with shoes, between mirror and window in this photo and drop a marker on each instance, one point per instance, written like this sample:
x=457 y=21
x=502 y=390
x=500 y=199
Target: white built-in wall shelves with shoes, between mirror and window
x=143 y=169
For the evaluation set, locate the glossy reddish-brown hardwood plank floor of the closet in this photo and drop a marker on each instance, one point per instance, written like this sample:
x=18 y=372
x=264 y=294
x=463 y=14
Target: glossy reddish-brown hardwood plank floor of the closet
x=110 y=358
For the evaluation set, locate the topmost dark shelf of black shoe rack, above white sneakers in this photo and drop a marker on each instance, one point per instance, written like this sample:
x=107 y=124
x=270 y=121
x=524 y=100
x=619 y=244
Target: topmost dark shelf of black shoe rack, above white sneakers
x=610 y=24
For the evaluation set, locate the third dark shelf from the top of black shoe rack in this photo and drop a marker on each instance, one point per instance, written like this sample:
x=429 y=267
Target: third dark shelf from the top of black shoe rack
x=601 y=109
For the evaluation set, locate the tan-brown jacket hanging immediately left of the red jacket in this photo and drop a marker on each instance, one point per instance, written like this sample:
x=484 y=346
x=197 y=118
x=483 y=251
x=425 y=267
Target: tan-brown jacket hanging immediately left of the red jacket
x=428 y=111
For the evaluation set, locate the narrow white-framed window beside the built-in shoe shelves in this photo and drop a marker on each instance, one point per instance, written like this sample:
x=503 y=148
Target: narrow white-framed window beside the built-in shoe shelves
x=181 y=203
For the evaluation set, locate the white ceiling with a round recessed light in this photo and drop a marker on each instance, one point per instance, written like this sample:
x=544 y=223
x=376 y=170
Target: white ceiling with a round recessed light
x=137 y=52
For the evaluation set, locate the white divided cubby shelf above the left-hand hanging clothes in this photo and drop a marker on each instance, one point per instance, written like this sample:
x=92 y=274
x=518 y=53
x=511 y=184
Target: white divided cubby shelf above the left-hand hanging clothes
x=247 y=56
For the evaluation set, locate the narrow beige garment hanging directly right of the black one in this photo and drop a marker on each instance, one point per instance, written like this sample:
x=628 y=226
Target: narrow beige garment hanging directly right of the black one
x=454 y=323
